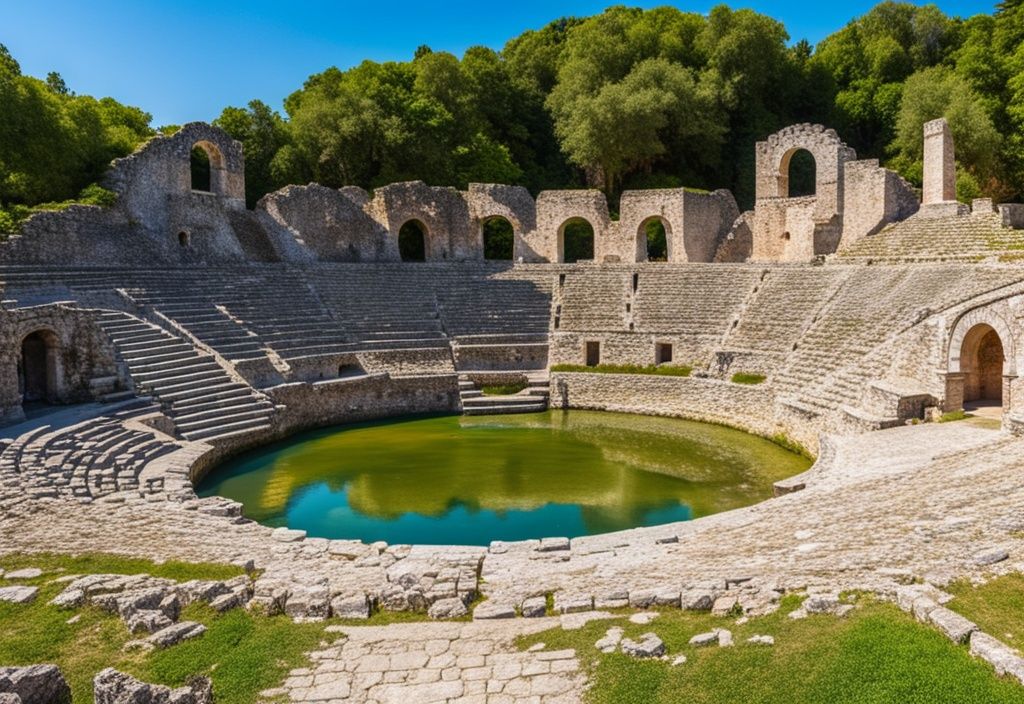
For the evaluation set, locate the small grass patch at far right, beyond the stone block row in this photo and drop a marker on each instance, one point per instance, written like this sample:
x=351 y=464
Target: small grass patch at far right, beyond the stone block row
x=998 y=607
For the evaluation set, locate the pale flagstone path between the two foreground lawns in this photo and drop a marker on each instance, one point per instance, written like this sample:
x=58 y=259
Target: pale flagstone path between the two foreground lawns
x=443 y=664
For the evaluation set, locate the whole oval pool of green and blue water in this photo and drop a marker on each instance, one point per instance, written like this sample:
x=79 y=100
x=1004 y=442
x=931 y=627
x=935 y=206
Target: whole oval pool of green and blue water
x=471 y=480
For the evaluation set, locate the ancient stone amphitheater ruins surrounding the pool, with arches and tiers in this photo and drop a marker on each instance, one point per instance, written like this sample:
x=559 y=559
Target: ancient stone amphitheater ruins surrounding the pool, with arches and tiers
x=192 y=328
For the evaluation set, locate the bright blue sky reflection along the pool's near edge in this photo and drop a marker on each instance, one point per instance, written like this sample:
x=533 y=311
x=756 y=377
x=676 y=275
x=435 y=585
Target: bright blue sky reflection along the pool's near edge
x=326 y=513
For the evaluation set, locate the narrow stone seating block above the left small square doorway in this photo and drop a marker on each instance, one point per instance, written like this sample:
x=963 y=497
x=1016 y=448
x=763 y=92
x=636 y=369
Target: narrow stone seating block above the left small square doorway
x=593 y=299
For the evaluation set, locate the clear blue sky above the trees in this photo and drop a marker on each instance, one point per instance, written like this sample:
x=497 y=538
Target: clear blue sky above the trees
x=186 y=60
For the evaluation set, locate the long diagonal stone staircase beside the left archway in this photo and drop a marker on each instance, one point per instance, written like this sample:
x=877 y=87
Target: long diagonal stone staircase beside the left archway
x=195 y=392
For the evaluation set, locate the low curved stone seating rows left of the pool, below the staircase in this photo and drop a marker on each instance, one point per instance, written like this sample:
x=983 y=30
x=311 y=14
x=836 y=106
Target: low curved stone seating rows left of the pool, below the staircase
x=89 y=461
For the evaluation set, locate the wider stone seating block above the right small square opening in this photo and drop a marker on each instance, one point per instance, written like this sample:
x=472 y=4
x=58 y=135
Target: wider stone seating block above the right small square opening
x=695 y=299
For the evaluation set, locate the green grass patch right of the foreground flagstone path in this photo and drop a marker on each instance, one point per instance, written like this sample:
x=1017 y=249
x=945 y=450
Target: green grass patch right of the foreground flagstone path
x=877 y=655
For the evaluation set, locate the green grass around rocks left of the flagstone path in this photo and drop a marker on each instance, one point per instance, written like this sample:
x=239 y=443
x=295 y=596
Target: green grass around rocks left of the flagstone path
x=242 y=652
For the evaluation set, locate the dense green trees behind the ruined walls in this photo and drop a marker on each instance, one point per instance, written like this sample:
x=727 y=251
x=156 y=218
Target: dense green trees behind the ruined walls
x=627 y=99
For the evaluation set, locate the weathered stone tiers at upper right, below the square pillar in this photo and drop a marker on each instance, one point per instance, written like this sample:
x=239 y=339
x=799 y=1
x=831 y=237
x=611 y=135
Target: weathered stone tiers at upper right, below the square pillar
x=954 y=238
